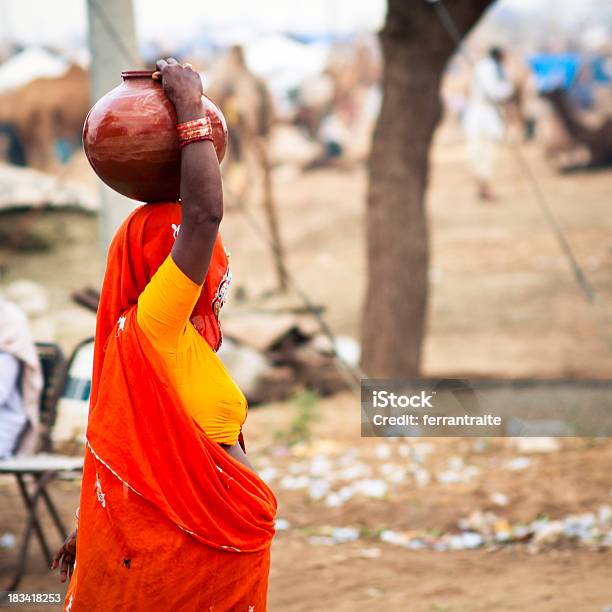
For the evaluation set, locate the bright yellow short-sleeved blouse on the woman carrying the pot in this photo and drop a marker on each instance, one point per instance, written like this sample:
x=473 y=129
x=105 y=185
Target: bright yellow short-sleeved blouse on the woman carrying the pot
x=204 y=385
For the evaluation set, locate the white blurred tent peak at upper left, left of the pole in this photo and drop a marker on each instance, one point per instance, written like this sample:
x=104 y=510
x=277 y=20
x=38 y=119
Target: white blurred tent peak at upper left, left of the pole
x=30 y=64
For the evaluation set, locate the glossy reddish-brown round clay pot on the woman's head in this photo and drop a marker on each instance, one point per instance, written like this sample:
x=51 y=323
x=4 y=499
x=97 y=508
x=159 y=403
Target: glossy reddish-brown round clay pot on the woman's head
x=130 y=139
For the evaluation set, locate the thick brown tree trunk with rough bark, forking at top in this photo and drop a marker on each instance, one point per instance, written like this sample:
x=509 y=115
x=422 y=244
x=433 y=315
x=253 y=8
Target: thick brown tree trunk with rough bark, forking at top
x=415 y=49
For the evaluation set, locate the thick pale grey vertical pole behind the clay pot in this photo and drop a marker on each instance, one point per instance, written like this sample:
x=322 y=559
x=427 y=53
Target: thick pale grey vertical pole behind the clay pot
x=113 y=48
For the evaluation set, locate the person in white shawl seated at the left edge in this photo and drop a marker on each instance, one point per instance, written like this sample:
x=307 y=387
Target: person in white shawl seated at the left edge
x=20 y=383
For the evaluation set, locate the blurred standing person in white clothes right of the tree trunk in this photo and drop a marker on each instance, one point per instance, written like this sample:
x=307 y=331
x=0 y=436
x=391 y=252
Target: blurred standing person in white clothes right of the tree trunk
x=484 y=120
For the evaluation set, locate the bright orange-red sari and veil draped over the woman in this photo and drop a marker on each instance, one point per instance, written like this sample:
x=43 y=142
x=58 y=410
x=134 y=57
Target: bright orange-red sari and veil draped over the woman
x=167 y=520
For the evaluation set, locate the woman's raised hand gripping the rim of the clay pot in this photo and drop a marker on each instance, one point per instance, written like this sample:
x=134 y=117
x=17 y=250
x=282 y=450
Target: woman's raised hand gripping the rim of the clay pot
x=182 y=86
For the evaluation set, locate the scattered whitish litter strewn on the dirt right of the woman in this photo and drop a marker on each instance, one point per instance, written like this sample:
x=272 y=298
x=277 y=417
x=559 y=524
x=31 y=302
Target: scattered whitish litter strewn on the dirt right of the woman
x=334 y=476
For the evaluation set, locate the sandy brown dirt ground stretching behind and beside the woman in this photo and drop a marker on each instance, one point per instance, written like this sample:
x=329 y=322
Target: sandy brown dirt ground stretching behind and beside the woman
x=503 y=303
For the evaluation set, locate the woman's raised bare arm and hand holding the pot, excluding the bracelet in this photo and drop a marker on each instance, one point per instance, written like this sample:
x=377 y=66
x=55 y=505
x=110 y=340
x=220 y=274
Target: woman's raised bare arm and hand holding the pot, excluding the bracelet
x=201 y=189
